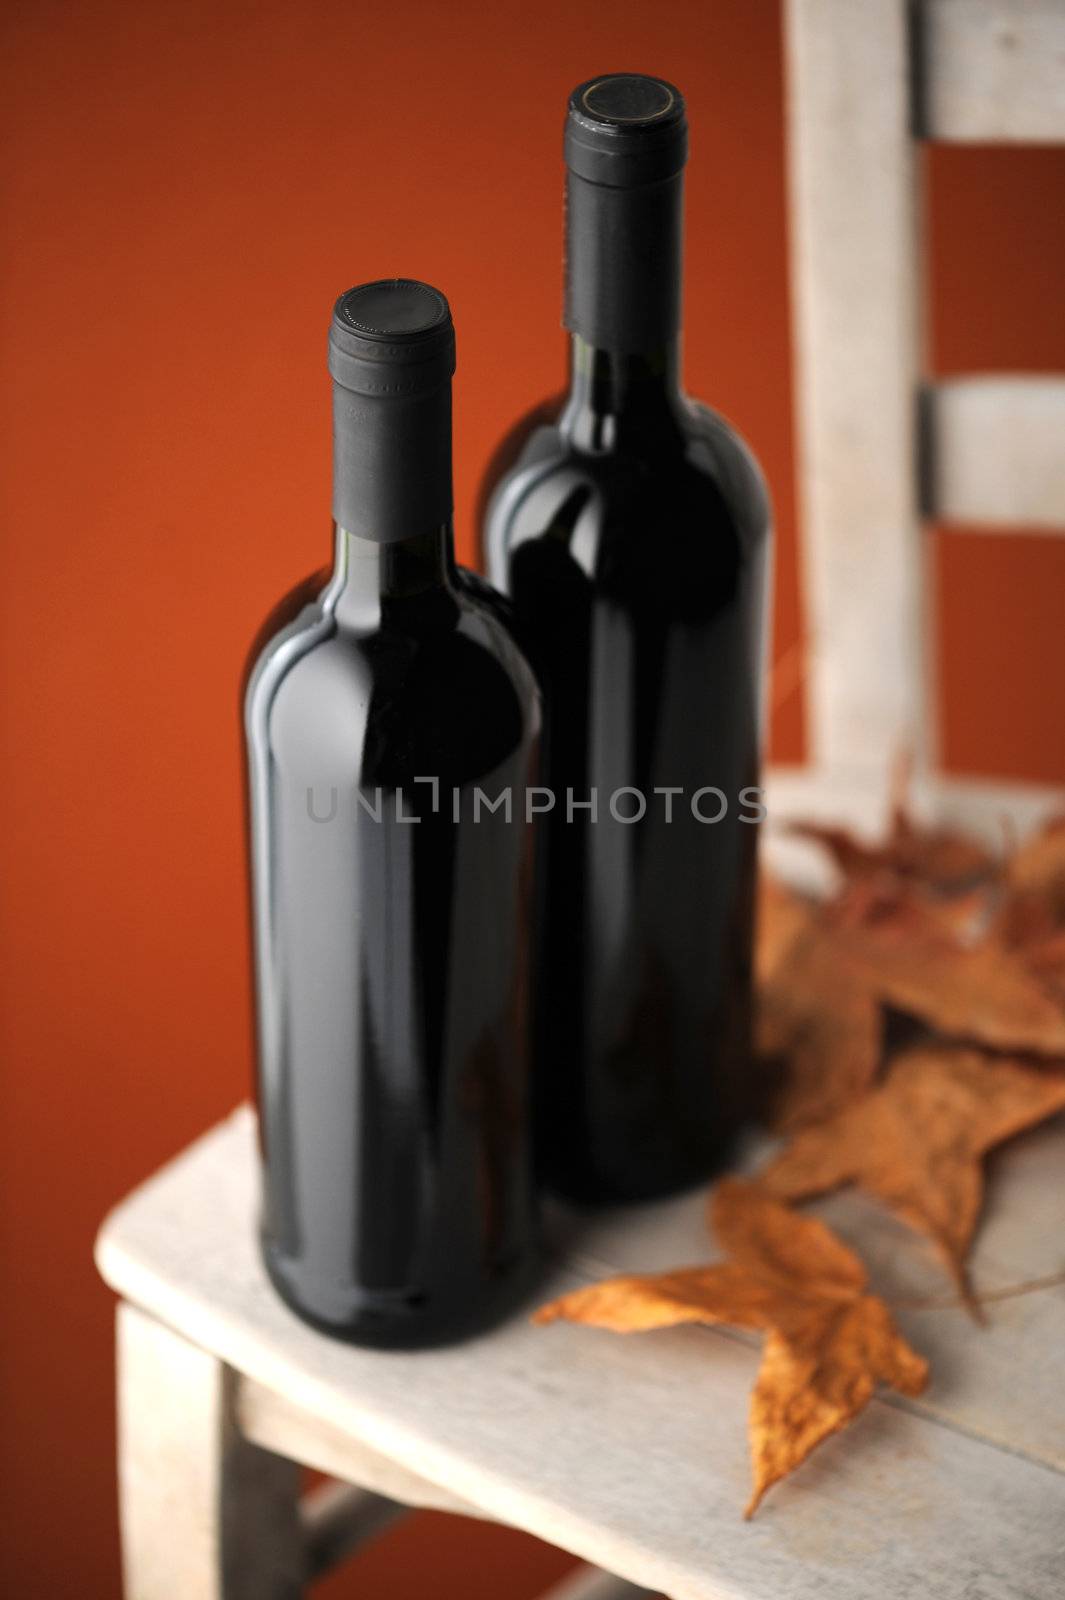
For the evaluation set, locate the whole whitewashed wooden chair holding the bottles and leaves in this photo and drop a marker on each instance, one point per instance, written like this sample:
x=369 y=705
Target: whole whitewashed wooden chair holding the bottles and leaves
x=632 y=1452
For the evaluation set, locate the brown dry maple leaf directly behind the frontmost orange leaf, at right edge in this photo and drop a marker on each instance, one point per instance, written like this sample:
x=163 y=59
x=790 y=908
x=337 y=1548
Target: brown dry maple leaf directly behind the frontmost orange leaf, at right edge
x=919 y=1140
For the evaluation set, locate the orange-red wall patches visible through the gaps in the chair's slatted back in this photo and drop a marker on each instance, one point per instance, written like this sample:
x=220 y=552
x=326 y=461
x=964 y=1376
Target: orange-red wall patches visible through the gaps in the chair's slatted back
x=997 y=303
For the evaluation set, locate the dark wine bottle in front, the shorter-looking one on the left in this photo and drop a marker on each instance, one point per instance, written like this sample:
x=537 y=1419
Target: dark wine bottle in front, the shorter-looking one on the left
x=391 y=905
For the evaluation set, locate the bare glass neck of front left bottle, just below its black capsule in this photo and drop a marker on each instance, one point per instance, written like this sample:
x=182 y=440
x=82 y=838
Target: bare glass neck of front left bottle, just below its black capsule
x=373 y=582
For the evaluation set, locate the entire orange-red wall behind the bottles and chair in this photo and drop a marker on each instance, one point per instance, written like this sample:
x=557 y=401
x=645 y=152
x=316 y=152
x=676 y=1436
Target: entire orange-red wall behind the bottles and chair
x=189 y=186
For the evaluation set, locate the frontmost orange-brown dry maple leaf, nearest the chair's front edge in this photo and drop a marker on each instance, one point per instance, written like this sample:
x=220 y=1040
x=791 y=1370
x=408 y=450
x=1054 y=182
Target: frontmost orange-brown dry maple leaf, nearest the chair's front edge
x=829 y=1340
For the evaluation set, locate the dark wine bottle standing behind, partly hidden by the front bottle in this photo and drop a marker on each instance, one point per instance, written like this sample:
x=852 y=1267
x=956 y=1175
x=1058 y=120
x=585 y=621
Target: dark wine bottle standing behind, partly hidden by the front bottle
x=632 y=534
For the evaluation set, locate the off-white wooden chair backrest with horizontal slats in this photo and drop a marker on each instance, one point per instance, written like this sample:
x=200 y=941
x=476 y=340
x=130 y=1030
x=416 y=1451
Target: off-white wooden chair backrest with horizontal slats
x=880 y=447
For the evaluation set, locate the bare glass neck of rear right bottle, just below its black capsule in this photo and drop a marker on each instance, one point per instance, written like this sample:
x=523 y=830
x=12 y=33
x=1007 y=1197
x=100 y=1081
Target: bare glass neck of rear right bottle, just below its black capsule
x=616 y=396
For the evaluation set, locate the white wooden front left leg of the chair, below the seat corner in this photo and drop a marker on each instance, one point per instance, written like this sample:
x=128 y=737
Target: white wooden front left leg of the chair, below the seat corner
x=205 y=1514
